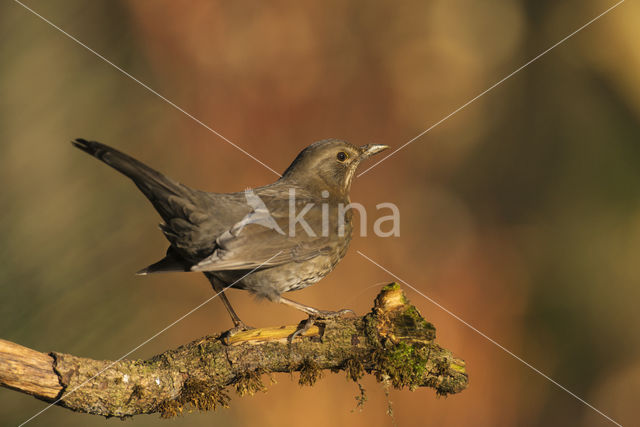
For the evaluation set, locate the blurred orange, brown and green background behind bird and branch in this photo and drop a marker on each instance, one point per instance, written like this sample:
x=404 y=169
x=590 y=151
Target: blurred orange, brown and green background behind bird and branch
x=520 y=214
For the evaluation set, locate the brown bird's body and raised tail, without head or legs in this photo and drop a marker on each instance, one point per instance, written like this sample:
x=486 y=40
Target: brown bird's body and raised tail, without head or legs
x=298 y=243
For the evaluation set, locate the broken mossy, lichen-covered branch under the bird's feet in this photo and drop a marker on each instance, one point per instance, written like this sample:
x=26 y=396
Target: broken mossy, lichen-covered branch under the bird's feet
x=392 y=342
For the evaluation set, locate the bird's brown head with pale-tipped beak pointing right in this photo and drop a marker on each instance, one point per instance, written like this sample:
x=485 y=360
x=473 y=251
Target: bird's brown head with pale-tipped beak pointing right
x=330 y=164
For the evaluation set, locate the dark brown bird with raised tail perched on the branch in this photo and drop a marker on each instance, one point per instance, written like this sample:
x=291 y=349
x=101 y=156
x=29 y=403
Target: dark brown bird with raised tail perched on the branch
x=270 y=240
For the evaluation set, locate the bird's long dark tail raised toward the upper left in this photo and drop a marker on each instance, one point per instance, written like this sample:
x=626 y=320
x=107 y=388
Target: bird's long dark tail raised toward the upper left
x=157 y=187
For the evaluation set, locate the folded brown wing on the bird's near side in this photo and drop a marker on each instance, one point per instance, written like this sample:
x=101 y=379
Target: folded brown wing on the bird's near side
x=265 y=242
